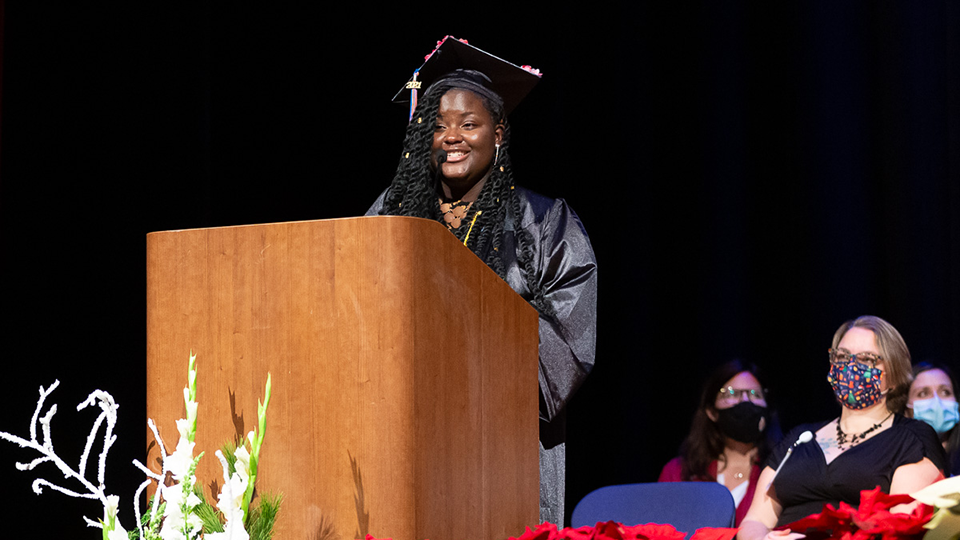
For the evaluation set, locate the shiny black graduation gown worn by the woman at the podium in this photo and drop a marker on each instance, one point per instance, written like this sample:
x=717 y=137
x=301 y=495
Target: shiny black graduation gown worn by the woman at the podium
x=566 y=272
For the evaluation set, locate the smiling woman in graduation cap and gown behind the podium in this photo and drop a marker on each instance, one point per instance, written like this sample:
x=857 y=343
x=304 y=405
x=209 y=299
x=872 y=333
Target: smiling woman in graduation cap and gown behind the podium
x=455 y=168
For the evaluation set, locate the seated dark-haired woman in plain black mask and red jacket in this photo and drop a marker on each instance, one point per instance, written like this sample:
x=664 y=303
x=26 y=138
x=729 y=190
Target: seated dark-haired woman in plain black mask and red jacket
x=731 y=434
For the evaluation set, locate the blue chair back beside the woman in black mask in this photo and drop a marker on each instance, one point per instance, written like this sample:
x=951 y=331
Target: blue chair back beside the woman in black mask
x=687 y=506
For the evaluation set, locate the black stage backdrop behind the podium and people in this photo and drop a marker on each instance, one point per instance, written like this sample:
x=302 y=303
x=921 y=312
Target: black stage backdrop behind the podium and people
x=751 y=173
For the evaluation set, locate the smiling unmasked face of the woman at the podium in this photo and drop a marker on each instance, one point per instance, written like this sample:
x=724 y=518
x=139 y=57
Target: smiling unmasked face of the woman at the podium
x=469 y=135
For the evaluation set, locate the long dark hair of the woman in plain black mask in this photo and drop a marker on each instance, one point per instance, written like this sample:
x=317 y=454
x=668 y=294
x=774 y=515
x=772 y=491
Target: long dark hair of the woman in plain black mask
x=705 y=442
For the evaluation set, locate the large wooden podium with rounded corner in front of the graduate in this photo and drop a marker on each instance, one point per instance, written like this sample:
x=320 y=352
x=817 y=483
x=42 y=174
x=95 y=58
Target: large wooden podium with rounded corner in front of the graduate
x=404 y=374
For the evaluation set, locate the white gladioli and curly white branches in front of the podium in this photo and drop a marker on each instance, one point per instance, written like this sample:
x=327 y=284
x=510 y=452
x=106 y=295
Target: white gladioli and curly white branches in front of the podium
x=178 y=510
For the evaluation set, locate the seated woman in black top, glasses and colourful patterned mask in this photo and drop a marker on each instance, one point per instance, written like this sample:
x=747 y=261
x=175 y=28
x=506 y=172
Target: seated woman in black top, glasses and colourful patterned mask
x=870 y=444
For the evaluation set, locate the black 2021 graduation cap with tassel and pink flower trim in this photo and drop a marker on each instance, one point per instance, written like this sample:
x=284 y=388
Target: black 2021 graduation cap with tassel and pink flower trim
x=510 y=81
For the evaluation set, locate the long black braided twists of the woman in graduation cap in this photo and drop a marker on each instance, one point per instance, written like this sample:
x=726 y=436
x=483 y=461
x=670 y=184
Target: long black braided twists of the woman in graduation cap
x=413 y=192
